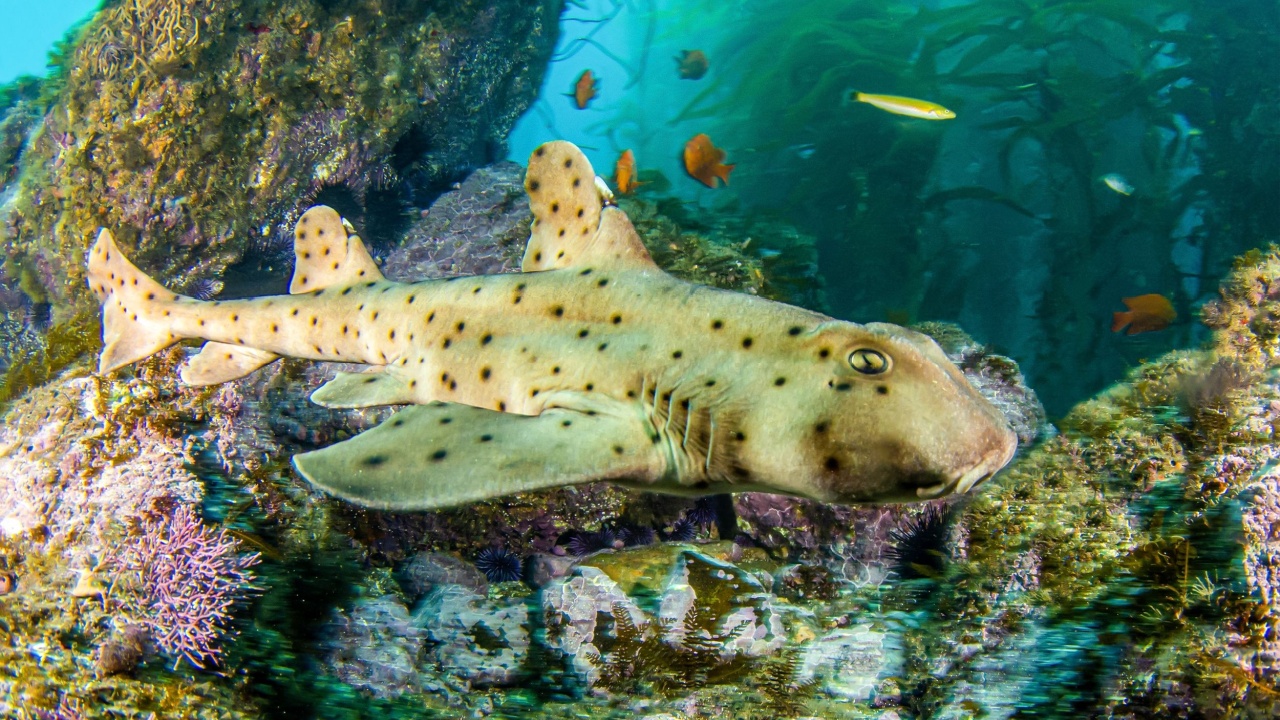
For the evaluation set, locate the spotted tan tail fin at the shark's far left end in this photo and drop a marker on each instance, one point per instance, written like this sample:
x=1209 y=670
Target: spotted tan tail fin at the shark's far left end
x=132 y=326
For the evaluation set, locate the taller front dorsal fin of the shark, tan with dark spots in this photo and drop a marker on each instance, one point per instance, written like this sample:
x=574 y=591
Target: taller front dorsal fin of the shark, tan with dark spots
x=574 y=222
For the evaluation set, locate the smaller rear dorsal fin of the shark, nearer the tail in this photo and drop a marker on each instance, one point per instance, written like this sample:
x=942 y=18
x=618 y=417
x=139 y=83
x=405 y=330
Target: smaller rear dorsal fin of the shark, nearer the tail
x=330 y=253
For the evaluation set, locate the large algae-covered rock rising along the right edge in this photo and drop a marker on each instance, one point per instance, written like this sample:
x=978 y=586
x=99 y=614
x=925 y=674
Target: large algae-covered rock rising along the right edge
x=1137 y=546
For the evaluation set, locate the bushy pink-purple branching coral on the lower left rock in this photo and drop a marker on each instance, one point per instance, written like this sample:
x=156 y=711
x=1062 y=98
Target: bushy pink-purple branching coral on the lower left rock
x=180 y=581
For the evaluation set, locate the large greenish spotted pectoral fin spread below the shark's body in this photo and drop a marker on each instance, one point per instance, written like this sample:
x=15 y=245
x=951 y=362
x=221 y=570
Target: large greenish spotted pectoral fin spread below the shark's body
x=438 y=455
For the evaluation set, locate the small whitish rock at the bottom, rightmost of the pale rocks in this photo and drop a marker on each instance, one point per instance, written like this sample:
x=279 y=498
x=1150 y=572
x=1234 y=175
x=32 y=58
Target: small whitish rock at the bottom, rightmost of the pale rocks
x=851 y=663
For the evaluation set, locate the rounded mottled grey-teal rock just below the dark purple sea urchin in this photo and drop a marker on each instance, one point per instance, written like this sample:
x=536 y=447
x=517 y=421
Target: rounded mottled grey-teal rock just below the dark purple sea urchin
x=477 y=640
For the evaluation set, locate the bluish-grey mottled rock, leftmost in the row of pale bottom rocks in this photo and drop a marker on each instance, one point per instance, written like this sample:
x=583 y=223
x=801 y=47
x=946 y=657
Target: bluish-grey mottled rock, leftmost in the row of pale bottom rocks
x=376 y=646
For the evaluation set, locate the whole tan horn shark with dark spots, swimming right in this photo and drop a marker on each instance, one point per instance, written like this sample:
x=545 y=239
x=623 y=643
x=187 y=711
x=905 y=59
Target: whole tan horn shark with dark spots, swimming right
x=592 y=364
